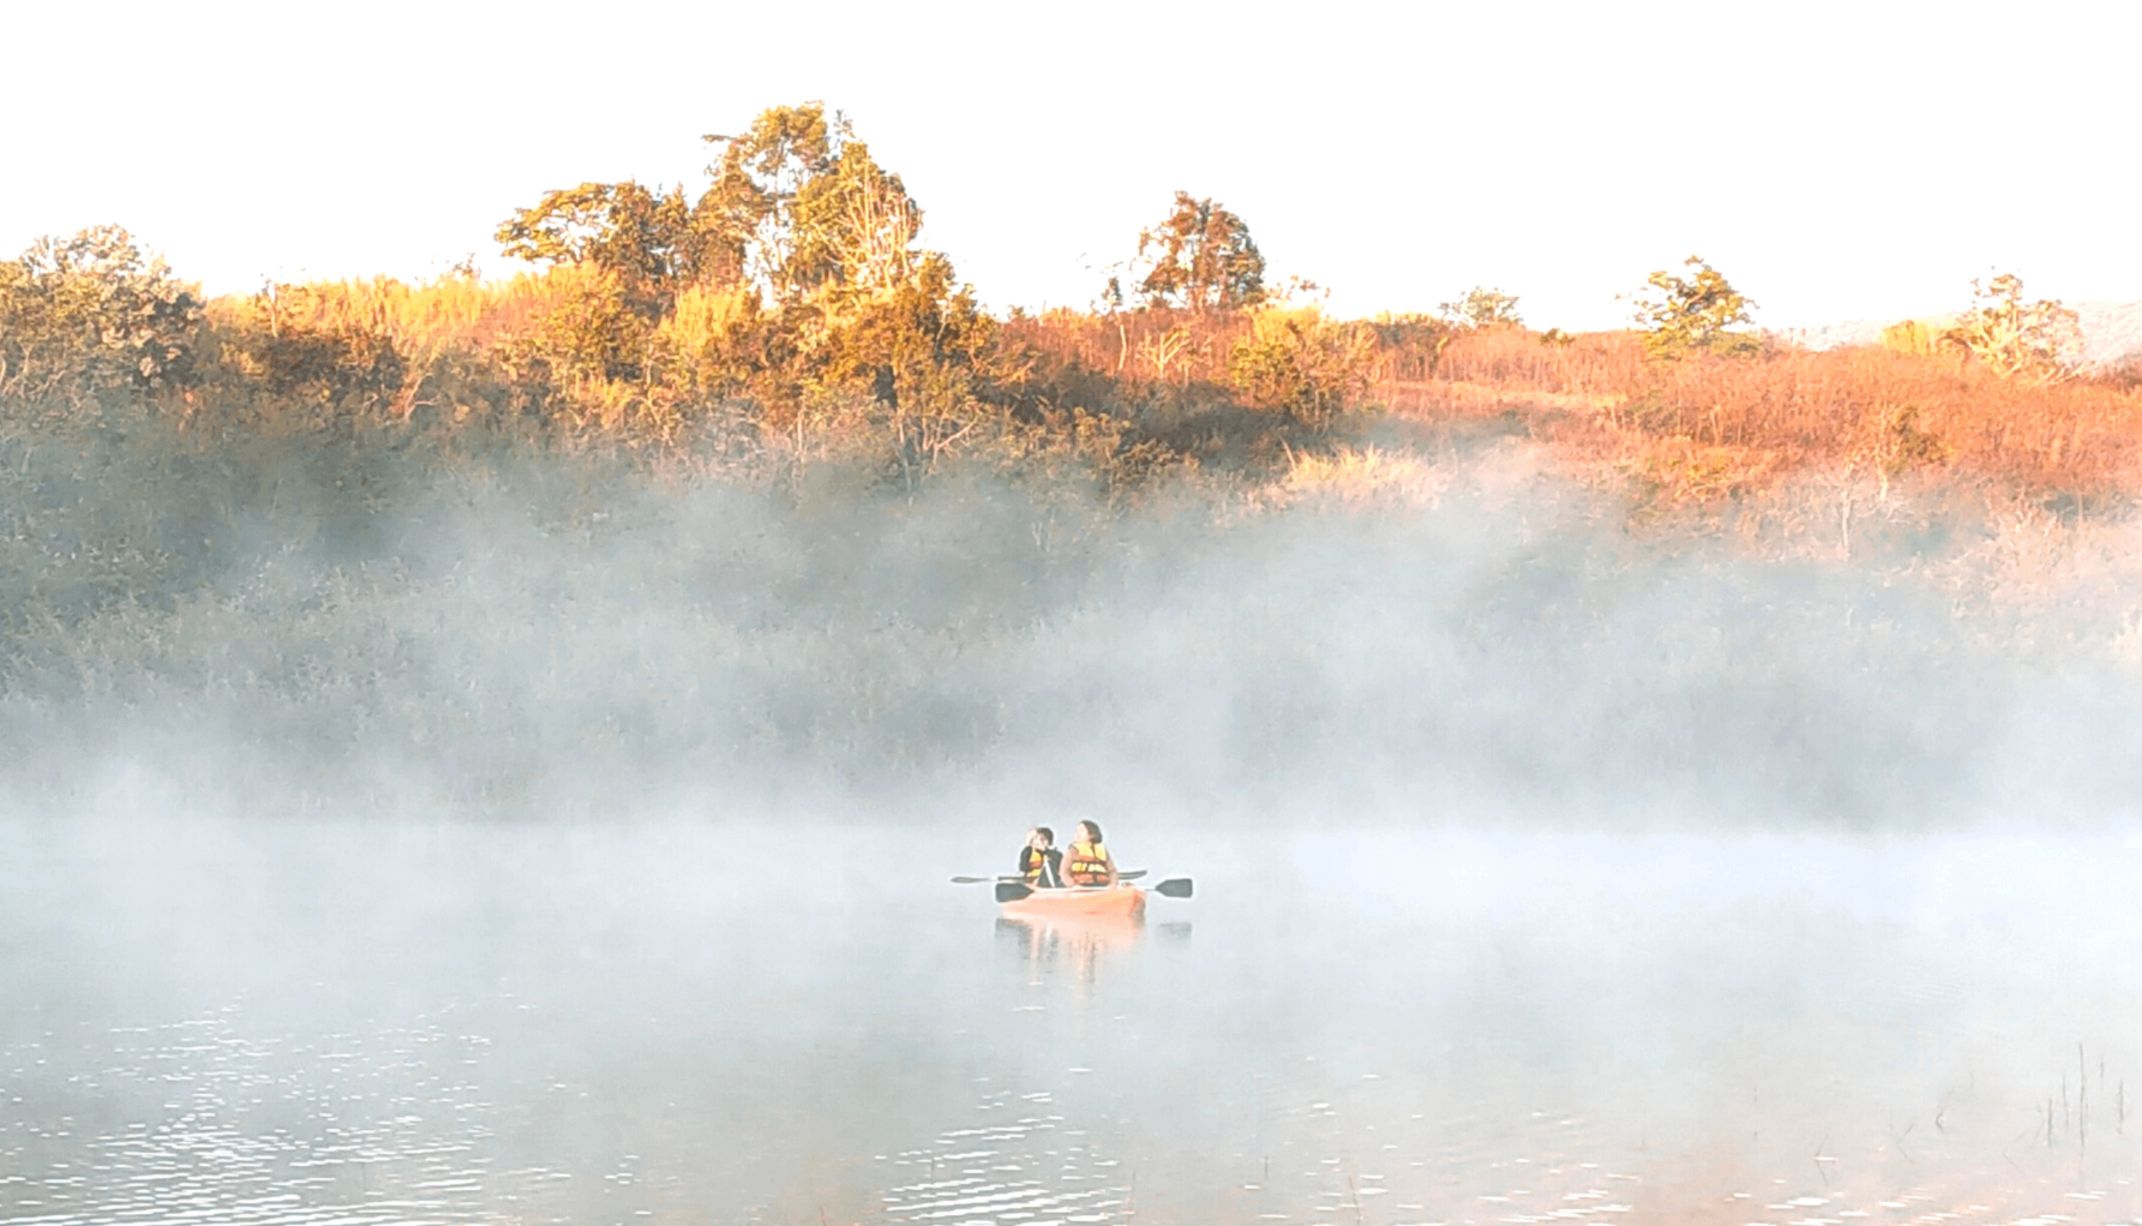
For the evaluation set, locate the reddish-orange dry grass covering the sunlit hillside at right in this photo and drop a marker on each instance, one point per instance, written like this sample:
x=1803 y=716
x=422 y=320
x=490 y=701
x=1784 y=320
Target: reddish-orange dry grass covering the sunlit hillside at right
x=1715 y=428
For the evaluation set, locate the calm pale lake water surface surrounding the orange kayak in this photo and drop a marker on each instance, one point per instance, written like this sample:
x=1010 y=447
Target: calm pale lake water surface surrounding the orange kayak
x=365 y=1026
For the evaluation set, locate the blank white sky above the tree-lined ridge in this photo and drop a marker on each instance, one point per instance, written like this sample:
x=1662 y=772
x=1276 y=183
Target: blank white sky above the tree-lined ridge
x=1837 y=162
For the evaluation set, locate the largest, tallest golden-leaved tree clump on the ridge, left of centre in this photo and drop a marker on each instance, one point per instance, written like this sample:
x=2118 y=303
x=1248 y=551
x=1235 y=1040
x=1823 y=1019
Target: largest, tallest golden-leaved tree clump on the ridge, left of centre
x=796 y=280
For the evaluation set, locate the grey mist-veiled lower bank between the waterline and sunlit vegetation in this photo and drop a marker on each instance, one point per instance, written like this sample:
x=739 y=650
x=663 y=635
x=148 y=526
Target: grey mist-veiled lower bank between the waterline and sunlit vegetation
x=1466 y=638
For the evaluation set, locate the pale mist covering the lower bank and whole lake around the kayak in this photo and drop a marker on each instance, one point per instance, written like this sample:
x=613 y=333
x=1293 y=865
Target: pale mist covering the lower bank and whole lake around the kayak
x=571 y=846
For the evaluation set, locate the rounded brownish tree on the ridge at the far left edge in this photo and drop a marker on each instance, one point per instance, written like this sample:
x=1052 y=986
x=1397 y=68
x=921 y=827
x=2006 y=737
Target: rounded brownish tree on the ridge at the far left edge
x=91 y=314
